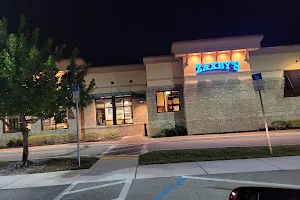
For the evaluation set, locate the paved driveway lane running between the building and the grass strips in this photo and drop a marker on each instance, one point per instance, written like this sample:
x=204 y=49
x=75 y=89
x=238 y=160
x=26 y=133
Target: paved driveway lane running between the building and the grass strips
x=140 y=144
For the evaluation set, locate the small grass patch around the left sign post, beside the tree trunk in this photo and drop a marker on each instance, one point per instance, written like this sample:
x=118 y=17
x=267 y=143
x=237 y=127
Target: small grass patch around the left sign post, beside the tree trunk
x=63 y=164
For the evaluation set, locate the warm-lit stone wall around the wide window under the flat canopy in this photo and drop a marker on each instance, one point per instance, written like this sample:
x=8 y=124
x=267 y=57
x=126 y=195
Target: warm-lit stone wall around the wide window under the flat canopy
x=140 y=117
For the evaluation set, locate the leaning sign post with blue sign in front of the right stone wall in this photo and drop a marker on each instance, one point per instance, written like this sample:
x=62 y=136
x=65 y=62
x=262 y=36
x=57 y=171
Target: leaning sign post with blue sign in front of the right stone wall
x=258 y=84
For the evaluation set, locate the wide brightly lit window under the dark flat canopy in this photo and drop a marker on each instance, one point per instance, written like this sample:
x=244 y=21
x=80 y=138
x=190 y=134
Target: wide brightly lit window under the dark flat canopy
x=114 y=110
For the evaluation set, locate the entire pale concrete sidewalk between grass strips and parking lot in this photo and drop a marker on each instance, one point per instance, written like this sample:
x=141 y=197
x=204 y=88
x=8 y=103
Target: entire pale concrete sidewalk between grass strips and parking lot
x=127 y=169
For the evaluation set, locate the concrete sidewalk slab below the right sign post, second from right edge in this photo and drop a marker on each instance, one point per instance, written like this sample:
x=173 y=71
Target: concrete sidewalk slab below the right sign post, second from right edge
x=236 y=166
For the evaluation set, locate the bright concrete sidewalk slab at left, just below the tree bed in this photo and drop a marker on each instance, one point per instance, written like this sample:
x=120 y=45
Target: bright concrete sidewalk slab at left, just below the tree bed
x=46 y=179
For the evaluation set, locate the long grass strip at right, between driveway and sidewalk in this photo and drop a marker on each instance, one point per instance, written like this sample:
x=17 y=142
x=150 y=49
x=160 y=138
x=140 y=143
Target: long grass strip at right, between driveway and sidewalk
x=191 y=155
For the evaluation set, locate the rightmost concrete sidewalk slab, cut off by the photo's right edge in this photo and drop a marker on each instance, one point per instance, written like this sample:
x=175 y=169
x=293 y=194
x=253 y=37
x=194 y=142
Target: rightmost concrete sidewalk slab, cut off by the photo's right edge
x=285 y=163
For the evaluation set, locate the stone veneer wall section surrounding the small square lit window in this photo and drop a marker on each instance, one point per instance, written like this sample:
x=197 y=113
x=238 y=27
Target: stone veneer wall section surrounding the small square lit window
x=160 y=121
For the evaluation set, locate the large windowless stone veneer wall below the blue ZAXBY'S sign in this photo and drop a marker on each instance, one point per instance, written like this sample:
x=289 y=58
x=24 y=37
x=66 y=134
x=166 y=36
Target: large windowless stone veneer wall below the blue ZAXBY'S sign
x=233 y=105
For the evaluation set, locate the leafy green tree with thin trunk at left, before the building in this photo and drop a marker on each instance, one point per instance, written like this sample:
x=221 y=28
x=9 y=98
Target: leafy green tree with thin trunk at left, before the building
x=29 y=82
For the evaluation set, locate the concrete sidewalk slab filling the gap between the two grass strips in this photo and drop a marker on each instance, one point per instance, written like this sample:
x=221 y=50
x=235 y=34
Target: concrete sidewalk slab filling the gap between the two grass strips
x=113 y=169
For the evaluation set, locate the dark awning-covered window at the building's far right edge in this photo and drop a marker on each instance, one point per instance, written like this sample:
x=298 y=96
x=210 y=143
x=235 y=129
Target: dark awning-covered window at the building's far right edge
x=291 y=83
